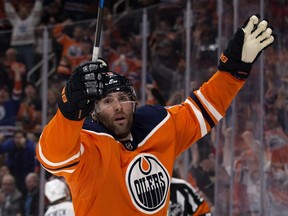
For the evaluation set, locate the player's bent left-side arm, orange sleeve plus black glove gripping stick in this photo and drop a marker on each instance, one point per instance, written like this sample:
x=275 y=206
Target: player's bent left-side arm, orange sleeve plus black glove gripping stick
x=60 y=148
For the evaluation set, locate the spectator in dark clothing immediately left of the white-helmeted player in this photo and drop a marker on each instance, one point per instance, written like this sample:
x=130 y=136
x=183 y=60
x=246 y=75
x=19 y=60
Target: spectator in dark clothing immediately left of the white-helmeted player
x=31 y=198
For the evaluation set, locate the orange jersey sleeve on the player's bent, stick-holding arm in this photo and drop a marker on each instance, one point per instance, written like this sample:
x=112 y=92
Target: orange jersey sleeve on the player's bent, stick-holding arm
x=59 y=147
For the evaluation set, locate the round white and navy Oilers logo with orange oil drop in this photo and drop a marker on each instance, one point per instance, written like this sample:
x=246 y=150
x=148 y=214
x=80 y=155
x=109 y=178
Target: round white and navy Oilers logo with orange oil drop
x=148 y=183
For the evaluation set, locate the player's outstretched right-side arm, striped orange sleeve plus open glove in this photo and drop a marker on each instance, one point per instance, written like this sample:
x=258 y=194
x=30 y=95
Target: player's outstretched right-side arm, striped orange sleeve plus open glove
x=208 y=105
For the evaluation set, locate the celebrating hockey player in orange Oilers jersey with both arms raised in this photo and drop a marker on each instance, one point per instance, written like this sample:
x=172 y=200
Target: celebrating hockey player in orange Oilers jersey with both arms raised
x=121 y=163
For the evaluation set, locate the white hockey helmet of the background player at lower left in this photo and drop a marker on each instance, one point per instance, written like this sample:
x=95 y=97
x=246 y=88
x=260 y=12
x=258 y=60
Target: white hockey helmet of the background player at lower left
x=55 y=189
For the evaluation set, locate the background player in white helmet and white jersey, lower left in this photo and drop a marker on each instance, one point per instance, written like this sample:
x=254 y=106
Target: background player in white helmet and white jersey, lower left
x=58 y=195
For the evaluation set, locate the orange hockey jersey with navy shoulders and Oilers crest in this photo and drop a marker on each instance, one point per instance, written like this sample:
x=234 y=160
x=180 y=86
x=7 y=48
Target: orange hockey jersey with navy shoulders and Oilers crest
x=107 y=179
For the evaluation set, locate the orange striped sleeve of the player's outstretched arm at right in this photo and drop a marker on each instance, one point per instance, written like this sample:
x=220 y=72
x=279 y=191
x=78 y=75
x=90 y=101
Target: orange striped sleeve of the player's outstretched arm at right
x=200 y=112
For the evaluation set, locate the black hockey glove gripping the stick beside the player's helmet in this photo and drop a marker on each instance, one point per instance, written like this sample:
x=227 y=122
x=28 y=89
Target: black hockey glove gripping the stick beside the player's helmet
x=81 y=90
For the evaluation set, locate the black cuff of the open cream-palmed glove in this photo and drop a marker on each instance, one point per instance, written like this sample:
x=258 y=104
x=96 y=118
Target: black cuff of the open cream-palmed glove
x=238 y=69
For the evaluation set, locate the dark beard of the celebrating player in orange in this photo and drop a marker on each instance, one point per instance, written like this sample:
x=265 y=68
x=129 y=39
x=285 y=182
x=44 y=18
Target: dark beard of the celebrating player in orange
x=119 y=131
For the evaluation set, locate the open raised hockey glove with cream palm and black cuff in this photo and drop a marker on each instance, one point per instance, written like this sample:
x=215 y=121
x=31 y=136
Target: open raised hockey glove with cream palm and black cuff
x=245 y=47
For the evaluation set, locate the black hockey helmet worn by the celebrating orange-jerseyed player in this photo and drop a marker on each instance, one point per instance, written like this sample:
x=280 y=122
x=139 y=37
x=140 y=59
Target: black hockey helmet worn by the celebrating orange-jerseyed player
x=115 y=82
